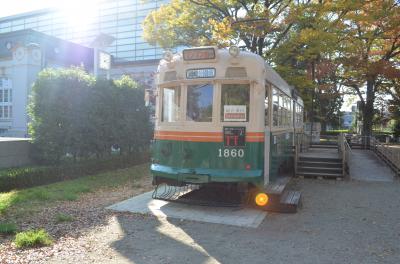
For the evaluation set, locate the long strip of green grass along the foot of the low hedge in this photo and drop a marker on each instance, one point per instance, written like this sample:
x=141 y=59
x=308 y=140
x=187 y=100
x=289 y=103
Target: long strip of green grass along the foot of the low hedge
x=26 y=199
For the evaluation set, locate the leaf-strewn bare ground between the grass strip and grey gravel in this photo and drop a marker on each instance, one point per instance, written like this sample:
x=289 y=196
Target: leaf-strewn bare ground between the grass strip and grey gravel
x=71 y=238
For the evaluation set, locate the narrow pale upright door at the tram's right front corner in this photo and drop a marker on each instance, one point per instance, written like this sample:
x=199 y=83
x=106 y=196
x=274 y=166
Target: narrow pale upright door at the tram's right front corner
x=267 y=132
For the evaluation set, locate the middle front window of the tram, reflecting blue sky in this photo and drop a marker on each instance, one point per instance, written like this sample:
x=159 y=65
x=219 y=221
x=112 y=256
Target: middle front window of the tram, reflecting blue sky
x=199 y=103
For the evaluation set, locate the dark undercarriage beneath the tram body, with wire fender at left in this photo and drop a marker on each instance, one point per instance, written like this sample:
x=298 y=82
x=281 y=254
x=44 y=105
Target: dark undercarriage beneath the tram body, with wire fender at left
x=275 y=197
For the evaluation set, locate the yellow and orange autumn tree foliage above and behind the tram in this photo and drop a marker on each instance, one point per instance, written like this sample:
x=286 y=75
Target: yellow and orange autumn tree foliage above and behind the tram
x=358 y=39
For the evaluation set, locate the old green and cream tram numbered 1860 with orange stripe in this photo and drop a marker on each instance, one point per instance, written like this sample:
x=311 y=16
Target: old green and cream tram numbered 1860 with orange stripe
x=222 y=116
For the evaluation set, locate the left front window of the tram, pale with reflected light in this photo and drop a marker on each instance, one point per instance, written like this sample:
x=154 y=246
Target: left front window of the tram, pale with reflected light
x=171 y=104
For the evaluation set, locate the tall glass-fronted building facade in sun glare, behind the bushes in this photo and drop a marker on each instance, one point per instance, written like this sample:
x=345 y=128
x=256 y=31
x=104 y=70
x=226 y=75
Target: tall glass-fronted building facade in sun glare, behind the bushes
x=121 y=19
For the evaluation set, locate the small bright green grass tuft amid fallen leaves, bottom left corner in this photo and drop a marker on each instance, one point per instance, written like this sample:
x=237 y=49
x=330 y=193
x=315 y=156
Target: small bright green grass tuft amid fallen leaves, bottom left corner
x=33 y=238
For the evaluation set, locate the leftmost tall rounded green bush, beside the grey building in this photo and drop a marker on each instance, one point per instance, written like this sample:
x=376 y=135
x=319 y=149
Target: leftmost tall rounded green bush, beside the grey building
x=57 y=111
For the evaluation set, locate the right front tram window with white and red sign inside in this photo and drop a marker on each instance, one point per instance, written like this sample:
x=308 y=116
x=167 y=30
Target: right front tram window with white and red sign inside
x=235 y=101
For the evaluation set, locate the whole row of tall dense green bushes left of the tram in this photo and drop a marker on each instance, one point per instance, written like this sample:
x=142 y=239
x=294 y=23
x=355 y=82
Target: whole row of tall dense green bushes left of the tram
x=75 y=115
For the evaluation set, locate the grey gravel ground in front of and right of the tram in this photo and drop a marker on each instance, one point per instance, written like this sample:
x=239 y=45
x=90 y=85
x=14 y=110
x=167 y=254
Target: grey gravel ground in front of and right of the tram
x=340 y=222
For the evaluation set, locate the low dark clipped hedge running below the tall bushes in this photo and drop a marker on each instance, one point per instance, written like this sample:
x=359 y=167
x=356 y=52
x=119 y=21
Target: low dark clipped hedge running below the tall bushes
x=25 y=177
